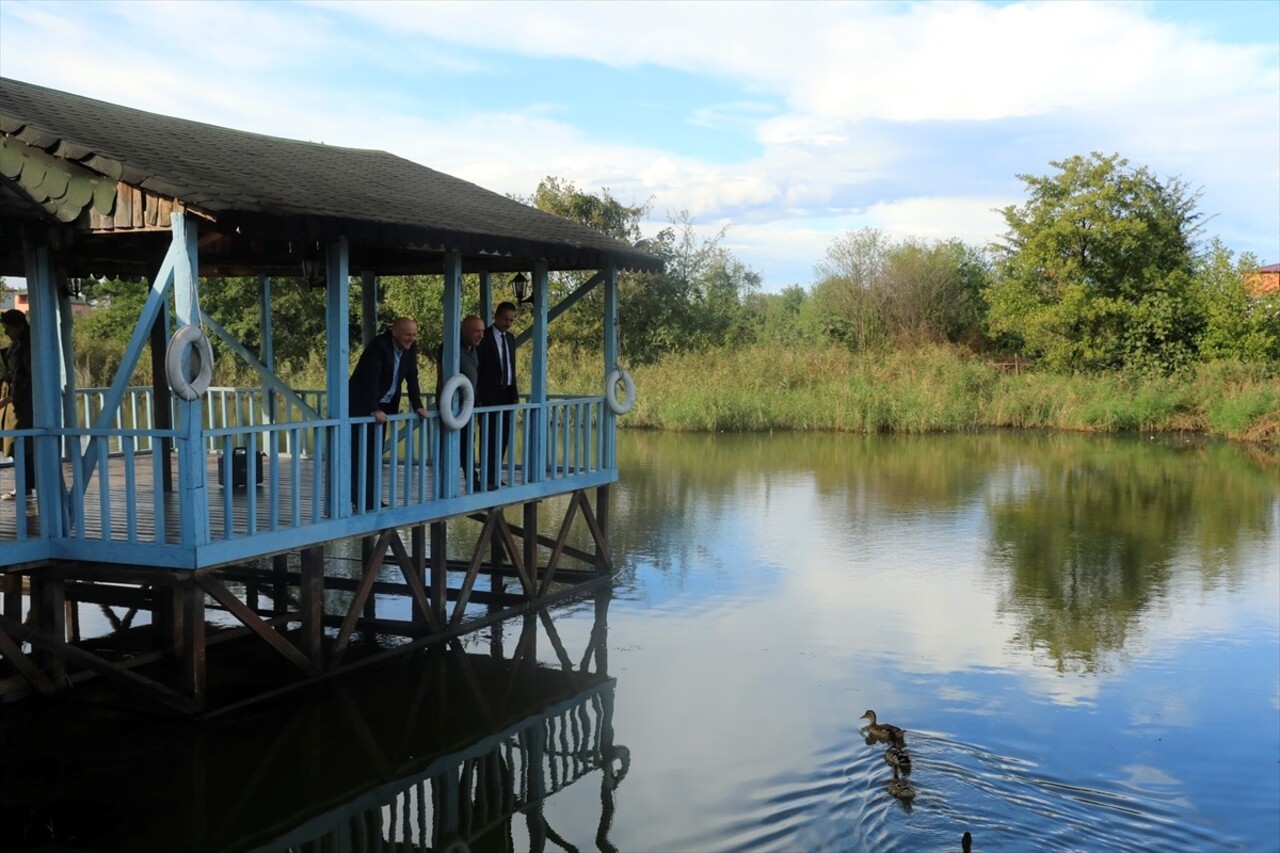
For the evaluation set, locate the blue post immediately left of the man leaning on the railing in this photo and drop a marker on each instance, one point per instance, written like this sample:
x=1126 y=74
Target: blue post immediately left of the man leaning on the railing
x=337 y=363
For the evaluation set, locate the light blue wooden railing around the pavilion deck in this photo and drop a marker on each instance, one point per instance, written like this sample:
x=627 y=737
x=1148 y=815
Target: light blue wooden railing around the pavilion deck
x=300 y=471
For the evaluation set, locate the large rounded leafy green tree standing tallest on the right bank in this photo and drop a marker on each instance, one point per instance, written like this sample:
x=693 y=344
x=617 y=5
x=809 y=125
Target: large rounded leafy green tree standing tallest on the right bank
x=1094 y=270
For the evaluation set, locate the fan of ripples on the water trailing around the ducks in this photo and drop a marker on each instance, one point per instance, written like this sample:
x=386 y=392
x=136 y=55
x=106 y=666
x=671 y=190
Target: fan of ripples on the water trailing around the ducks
x=1005 y=801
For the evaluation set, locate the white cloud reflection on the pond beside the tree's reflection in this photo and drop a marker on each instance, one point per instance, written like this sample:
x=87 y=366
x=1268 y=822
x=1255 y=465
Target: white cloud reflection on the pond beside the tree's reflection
x=920 y=590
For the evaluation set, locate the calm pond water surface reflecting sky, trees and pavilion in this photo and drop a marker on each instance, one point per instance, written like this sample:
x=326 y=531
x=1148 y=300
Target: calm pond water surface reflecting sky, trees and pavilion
x=1082 y=638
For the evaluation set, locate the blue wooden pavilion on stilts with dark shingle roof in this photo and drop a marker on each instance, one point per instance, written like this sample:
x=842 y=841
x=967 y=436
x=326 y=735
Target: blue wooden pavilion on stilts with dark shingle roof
x=136 y=503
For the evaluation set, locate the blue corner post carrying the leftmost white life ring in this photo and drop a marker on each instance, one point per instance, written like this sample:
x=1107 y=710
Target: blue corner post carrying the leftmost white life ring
x=193 y=482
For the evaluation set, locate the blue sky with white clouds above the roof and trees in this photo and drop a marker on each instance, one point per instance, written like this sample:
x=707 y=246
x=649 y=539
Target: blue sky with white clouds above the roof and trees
x=788 y=124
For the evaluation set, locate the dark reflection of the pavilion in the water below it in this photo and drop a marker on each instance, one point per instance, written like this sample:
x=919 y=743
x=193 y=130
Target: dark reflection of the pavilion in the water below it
x=442 y=751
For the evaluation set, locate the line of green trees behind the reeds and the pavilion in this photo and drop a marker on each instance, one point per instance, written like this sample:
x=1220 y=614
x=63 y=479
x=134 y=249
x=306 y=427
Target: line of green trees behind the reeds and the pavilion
x=1104 y=267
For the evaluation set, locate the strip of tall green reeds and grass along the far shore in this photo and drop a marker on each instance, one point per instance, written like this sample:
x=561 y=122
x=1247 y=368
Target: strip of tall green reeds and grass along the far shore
x=927 y=390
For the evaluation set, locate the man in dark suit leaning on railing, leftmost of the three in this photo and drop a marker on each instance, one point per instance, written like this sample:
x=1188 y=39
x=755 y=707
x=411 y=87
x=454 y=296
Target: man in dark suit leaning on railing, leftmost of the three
x=388 y=363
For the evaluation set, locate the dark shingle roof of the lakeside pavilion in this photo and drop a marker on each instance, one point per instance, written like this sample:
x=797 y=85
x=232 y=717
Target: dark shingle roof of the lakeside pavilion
x=392 y=211
